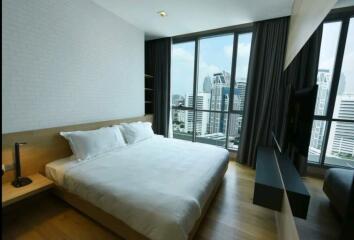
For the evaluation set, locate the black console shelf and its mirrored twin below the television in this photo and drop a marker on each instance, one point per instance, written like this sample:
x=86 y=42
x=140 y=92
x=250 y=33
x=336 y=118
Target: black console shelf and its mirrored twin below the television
x=272 y=170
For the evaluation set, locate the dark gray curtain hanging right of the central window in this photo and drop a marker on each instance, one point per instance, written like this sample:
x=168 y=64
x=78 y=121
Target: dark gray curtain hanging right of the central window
x=265 y=75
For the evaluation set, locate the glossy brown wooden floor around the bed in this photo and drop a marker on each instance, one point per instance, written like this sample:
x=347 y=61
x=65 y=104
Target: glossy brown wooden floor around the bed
x=231 y=215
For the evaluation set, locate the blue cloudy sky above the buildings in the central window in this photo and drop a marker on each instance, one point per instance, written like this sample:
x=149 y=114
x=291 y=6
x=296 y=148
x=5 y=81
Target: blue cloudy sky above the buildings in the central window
x=215 y=55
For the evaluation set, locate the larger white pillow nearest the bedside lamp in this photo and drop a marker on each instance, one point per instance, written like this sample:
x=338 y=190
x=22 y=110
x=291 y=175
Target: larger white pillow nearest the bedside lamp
x=86 y=144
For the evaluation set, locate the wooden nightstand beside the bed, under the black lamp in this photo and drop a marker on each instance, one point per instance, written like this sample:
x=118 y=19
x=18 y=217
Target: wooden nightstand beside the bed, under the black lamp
x=10 y=194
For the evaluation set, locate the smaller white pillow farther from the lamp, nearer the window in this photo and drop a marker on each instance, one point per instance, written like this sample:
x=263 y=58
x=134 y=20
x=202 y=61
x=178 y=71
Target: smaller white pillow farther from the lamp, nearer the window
x=136 y=131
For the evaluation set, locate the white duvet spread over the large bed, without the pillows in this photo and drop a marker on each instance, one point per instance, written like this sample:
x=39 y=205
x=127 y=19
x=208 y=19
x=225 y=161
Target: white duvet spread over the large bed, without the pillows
x=157 y=187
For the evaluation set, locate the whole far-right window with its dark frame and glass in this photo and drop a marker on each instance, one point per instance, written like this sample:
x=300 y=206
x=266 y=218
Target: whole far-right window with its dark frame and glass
x=332 y=138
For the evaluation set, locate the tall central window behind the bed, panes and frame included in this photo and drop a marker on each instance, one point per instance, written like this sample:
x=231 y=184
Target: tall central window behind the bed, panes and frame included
x=208 y=87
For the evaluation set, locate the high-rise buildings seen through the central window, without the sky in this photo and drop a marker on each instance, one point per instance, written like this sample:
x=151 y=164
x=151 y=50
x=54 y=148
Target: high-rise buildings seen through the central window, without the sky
x=211 y=127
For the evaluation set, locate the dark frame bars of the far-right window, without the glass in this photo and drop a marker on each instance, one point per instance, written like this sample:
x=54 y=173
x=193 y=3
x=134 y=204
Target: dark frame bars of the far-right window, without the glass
x=338 y=15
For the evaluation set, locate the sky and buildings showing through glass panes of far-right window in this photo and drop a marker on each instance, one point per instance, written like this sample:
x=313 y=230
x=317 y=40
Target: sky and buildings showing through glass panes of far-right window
x=340 y=145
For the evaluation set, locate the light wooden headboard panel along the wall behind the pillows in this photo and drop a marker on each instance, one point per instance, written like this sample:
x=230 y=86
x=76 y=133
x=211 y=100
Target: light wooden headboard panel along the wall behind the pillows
x=46 y=145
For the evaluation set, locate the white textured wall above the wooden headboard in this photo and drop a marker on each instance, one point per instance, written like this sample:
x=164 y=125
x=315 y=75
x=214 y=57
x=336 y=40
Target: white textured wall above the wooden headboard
x=68 y=62
